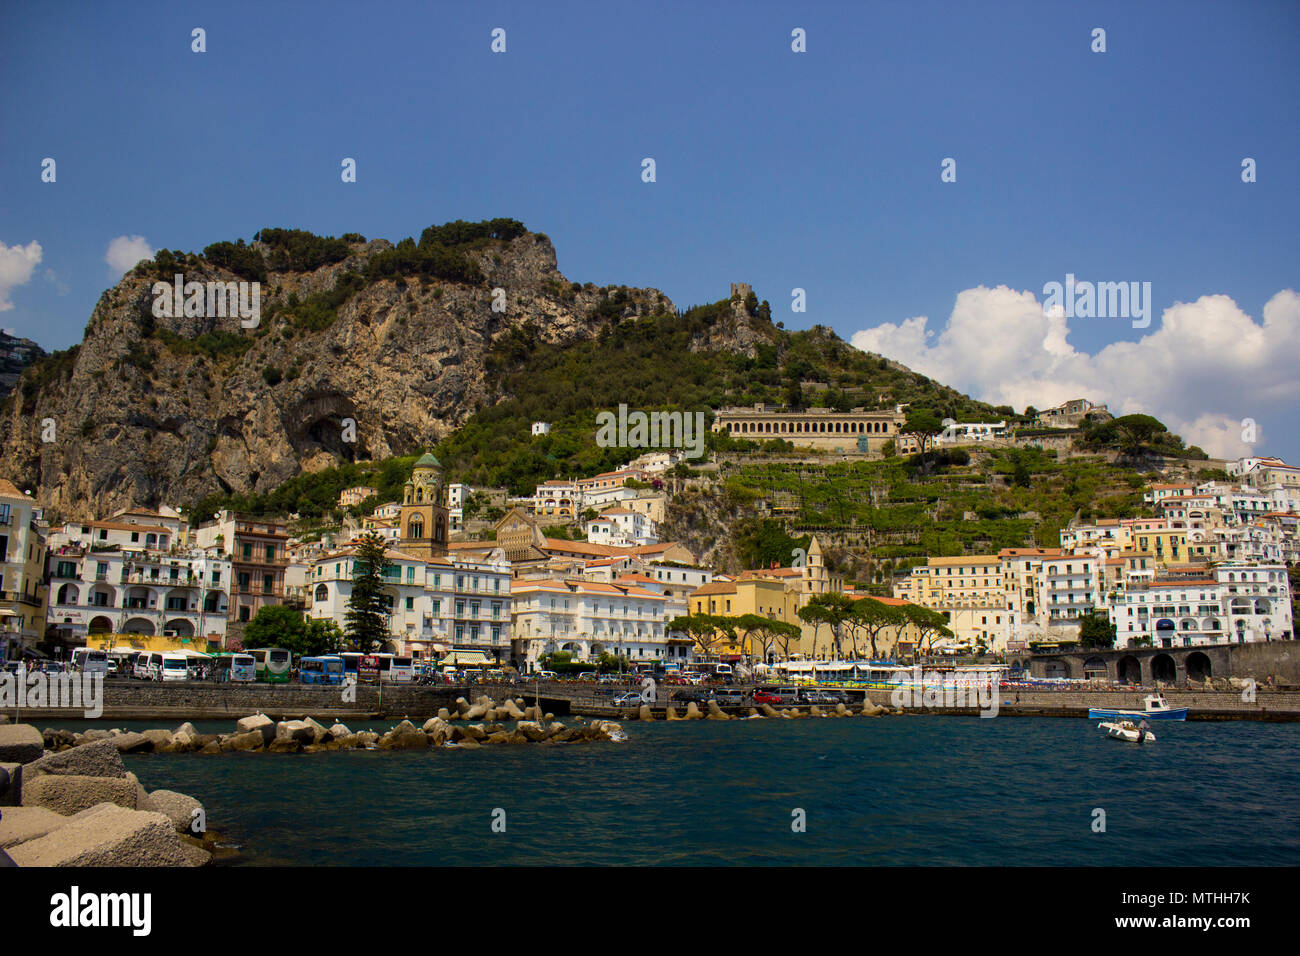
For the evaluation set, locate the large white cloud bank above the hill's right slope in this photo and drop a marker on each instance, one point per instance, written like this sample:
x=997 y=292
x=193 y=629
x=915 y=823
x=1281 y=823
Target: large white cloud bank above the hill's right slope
x=1206 y=369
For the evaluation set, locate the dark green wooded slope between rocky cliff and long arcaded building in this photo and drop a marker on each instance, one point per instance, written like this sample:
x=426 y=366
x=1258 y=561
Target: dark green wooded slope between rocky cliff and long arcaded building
x=648 y=364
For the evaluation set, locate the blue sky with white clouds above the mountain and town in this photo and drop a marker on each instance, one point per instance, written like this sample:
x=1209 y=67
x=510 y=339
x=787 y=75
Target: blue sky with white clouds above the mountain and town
x=817 y=171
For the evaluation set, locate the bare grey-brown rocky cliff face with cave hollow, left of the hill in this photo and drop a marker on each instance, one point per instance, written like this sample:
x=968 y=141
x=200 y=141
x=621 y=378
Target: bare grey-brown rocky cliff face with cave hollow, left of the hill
x=155 y=410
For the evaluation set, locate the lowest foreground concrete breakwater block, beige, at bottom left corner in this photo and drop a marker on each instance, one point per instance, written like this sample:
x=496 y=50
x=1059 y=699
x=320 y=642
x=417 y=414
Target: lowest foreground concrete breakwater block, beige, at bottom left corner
x=110 y=836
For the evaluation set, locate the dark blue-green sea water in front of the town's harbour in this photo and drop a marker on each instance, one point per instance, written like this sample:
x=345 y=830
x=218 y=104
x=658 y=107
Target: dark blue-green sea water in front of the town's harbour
x=913 y=790
